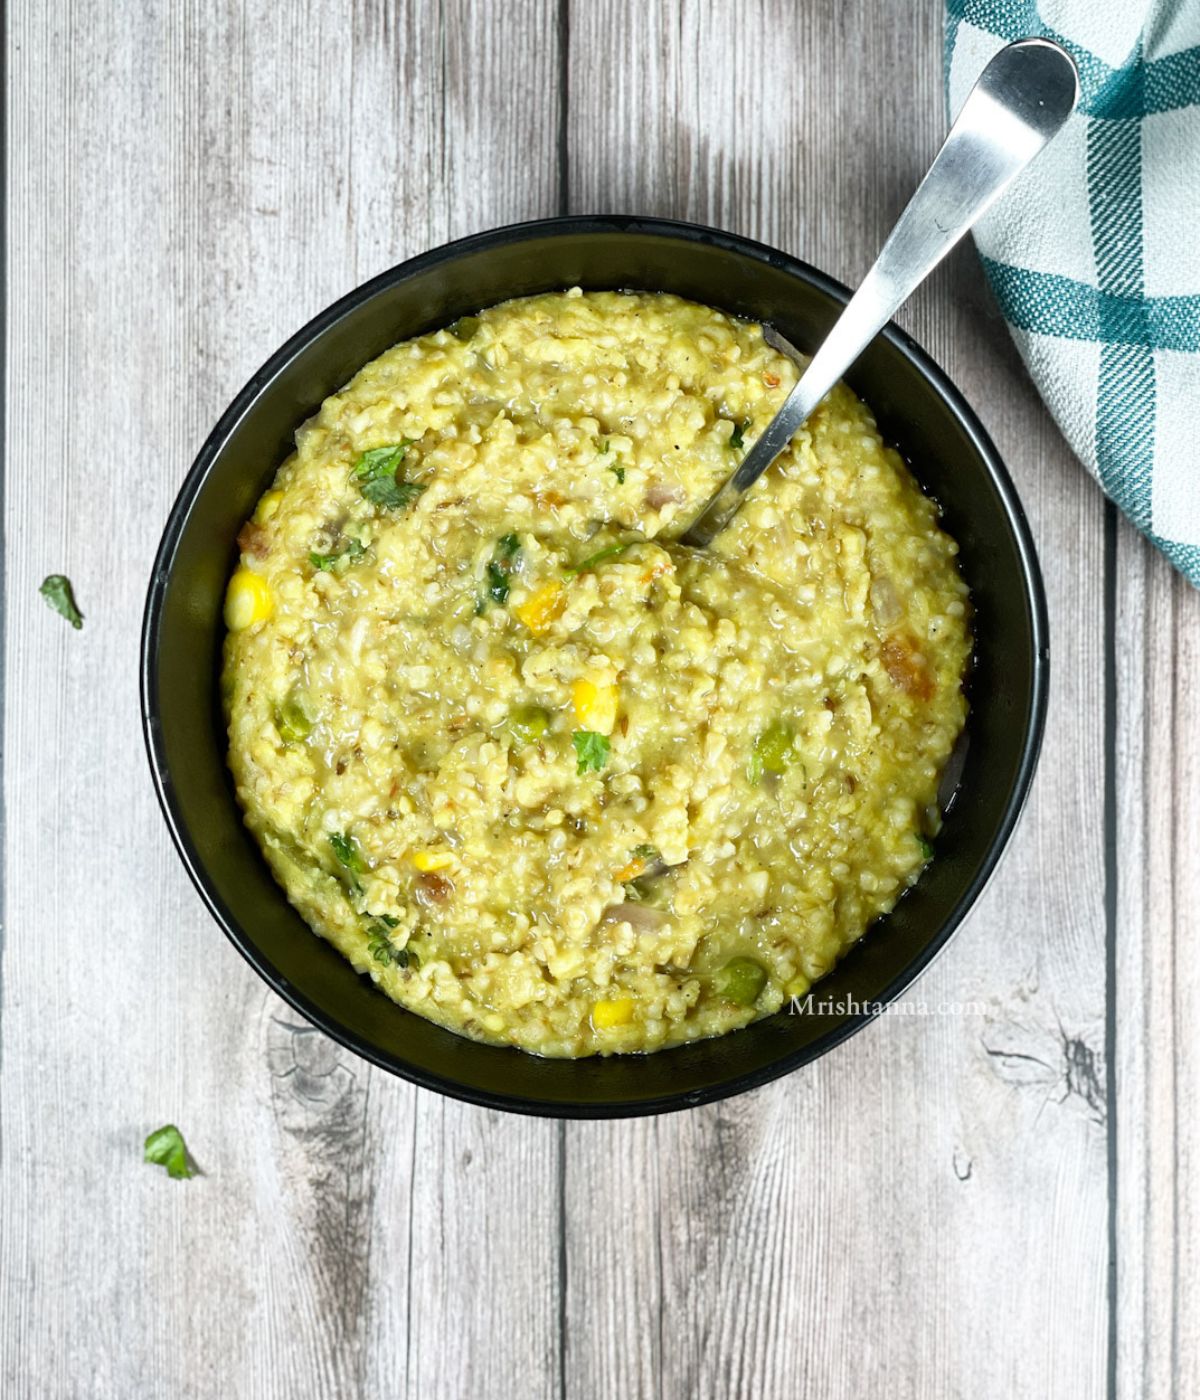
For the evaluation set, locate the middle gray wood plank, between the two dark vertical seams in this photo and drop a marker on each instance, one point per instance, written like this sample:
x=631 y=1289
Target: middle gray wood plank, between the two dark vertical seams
x=908 y=1214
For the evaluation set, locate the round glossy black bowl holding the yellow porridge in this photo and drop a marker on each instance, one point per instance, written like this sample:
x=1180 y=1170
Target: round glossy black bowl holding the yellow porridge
x=918 y=409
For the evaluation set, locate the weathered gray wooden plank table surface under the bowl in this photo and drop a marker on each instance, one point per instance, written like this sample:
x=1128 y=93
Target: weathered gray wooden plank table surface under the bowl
x=1003 y=1203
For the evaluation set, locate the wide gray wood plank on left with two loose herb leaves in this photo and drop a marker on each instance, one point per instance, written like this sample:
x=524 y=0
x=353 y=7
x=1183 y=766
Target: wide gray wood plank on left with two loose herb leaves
x=187 y=188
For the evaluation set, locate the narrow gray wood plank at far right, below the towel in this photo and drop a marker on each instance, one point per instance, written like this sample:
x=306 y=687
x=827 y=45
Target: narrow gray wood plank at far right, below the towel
x=1157 y=988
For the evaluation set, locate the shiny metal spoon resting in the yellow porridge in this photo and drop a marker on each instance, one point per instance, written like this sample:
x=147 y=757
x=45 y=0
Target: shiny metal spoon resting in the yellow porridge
x=1023 y=100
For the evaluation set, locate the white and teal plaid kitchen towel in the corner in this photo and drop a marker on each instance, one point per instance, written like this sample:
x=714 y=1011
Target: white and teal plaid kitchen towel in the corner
x=1094 y=255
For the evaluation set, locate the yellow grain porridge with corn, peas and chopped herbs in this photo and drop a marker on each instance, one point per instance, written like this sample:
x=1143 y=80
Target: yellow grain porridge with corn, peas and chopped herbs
x=547 y=776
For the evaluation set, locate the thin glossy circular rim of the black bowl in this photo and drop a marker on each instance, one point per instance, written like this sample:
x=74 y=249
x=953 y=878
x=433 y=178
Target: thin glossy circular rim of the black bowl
x=261 y=380
